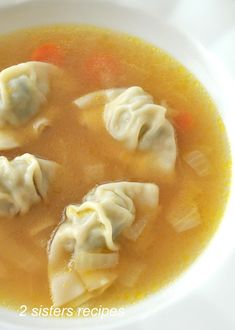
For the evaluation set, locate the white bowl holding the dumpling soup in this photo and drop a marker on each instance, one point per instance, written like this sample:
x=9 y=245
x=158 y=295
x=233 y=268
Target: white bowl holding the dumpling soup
x=20 y=14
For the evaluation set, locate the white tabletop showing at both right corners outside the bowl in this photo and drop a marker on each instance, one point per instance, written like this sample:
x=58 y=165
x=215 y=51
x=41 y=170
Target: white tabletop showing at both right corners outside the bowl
x=211 y=306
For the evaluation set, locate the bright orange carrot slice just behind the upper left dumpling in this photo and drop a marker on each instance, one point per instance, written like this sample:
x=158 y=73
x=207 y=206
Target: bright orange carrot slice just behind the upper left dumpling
x=50 y=53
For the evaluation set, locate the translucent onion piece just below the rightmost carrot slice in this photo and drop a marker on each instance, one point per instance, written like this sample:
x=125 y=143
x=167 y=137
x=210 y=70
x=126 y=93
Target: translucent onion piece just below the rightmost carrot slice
x=198 y=162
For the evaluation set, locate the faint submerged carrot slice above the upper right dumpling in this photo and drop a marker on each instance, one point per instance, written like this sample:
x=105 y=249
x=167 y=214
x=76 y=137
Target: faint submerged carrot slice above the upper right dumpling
x=101 y=67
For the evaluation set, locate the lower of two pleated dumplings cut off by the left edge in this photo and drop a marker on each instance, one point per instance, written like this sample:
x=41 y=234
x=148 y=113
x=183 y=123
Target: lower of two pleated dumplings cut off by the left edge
x=24 y=181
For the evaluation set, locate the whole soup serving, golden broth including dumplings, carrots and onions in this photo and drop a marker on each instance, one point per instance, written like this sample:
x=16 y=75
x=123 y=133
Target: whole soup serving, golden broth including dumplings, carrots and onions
x=142 y=168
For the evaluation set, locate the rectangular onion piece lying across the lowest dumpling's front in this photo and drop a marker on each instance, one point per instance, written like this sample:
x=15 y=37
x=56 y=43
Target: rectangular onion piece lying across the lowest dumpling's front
x=91 y=261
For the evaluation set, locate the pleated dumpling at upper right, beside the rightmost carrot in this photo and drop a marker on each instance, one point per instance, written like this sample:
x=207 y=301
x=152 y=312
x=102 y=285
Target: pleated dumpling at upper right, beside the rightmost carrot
x=131 y=117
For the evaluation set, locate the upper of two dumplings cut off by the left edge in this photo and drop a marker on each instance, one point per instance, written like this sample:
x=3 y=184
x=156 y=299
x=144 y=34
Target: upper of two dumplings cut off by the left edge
x=24 y=89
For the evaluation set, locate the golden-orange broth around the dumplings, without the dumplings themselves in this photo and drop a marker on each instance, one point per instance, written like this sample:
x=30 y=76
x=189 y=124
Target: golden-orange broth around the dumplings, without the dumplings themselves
x=90 y=156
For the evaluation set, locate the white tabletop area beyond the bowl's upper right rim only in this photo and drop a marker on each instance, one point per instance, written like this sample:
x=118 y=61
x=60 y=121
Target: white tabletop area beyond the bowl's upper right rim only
x=212 y=22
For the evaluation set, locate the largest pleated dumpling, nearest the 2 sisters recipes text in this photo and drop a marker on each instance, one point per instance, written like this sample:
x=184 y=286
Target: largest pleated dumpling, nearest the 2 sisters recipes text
x=84 y=249
